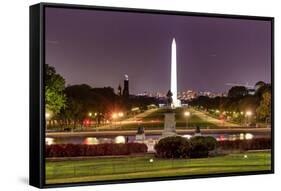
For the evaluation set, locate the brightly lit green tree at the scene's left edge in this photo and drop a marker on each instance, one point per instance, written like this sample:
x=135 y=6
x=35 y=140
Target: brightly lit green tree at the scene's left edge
x=54 y=90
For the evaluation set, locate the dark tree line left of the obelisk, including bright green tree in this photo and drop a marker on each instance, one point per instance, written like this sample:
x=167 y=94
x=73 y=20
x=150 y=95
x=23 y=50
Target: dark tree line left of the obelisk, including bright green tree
x=70 y=106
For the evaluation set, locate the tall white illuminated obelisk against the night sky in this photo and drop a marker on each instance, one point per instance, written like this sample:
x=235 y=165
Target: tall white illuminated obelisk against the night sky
x=176 y=102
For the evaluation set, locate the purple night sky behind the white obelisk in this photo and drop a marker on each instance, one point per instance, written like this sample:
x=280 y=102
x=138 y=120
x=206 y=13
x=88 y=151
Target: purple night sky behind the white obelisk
x=99 y=47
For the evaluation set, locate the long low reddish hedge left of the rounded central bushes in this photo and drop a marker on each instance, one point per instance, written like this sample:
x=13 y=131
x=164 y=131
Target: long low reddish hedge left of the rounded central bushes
x=74 y=150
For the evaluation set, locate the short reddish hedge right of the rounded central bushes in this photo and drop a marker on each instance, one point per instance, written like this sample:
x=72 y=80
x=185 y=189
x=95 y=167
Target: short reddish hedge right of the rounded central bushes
x=253 y=144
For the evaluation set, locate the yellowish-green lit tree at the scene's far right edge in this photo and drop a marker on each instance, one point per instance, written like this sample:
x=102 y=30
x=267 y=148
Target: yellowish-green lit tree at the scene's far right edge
x=264 y=109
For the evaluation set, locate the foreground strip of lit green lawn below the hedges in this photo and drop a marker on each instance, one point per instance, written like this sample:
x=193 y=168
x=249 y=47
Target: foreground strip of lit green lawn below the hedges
x=140 y=167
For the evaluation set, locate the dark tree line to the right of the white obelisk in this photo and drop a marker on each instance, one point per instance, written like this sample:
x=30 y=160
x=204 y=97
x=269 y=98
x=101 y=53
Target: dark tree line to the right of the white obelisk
x=239 y=100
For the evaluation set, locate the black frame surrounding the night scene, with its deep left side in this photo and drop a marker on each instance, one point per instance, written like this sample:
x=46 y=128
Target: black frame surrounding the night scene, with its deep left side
x=37 y=109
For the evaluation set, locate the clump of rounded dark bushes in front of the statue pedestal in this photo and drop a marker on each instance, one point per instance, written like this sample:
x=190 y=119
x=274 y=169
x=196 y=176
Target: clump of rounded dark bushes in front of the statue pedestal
x=179 y=147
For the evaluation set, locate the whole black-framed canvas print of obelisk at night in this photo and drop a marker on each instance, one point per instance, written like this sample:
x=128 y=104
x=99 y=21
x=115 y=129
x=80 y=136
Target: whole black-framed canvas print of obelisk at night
x=126 y=95
